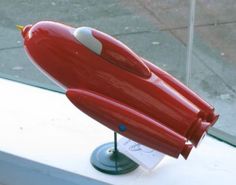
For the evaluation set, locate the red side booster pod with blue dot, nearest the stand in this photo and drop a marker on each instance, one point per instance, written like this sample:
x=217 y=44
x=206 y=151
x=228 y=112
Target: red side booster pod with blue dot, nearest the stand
x=129 y=122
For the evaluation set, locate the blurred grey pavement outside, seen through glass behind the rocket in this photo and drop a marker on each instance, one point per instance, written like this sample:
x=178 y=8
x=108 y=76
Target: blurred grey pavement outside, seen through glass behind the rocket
x=155 y=29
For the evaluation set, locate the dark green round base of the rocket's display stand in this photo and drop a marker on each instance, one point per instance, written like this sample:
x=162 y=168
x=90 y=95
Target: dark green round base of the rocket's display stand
x=105 y=159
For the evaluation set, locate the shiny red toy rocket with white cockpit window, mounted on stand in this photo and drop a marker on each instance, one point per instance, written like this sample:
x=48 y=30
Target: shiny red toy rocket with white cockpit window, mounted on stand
x=109 y=82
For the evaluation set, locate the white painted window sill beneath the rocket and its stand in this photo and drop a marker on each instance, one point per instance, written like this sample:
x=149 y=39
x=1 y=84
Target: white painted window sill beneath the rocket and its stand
x=44 y=139
